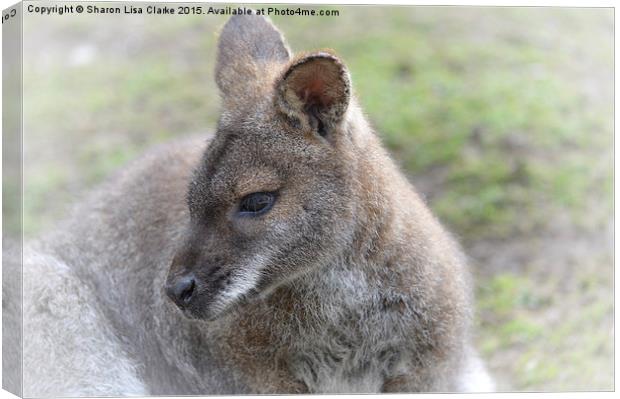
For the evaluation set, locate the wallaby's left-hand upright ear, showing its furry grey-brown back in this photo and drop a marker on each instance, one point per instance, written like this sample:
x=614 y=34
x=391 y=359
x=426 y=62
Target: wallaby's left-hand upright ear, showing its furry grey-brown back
x=247 y=44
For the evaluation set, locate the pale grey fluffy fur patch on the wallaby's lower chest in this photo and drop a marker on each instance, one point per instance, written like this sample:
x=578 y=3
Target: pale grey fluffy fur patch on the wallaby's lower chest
x=345 y=353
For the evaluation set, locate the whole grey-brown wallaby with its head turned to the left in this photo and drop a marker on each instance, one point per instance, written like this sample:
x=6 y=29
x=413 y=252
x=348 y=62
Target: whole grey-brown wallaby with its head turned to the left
x=299 y=260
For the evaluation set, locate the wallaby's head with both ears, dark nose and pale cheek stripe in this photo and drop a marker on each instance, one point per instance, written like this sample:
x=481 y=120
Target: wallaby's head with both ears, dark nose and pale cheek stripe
x=273 y=197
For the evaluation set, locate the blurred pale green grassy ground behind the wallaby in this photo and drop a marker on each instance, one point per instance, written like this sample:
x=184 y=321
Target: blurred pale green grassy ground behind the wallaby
x=502 y=117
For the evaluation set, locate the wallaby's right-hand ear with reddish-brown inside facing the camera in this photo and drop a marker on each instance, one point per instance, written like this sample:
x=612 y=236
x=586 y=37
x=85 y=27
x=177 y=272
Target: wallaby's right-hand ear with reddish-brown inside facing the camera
x=314 y=92
